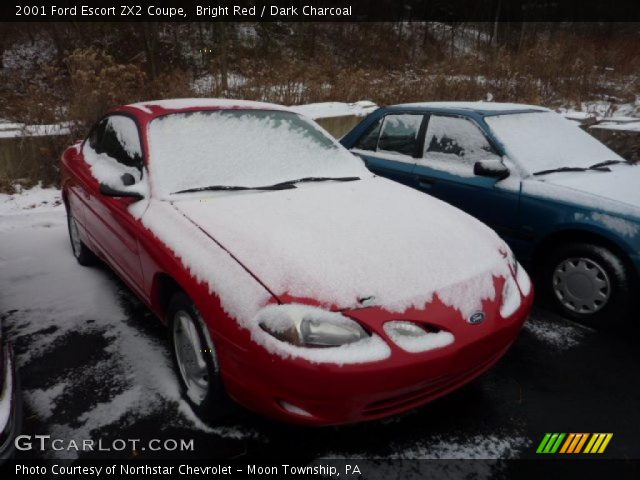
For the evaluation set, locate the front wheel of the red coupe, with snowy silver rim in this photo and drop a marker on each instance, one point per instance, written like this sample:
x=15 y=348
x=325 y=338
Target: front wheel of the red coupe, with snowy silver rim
x=196 y=362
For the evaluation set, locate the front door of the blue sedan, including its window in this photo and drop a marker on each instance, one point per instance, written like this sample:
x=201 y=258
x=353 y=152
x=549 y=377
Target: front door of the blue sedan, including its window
x=445 y=169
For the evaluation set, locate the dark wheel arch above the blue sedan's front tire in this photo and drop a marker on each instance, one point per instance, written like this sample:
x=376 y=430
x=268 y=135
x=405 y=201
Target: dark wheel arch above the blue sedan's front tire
x=579 y=236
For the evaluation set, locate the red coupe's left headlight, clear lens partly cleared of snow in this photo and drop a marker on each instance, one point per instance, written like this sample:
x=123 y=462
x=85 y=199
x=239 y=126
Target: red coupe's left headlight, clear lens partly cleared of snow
x=306 y=326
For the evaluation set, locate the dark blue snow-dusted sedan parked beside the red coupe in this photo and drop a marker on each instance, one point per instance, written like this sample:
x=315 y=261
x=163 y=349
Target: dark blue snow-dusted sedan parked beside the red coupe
x=568 y=206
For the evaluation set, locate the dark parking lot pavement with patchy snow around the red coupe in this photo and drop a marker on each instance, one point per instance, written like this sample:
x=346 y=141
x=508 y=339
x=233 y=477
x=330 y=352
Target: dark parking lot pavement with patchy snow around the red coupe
x=95 y=364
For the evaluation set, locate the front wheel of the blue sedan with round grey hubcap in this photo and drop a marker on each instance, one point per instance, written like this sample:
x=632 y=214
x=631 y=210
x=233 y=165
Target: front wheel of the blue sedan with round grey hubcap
x=587 y=283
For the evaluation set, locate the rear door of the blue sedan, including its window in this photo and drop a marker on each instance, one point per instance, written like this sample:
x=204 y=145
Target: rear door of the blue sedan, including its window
x=391 y=146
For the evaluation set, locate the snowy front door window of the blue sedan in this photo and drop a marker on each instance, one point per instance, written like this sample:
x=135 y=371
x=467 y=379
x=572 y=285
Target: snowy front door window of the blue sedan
x=457 y=142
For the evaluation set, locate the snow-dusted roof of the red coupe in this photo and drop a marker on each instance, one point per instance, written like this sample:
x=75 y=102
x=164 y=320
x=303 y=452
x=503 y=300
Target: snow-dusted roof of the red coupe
x=155 y=108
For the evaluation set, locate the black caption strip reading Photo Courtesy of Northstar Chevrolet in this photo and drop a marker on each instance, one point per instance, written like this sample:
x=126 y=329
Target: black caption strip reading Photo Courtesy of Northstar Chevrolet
x=354 y=469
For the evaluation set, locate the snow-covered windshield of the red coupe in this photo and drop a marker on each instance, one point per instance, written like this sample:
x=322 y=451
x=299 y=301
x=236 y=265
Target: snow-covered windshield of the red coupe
x=244 y=148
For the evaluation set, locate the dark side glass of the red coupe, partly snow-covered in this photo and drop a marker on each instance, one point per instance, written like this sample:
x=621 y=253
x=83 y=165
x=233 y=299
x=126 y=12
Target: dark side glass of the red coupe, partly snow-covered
x=117 y=137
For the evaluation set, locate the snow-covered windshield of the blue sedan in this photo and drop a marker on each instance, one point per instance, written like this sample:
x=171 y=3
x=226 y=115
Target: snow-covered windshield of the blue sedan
x=545 y=140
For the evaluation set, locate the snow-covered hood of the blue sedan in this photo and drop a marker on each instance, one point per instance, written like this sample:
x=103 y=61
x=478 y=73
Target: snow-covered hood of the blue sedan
x=617 y=190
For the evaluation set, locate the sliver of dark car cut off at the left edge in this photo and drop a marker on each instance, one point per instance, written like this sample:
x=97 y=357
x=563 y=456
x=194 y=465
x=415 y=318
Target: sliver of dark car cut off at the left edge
x=10 y=404
